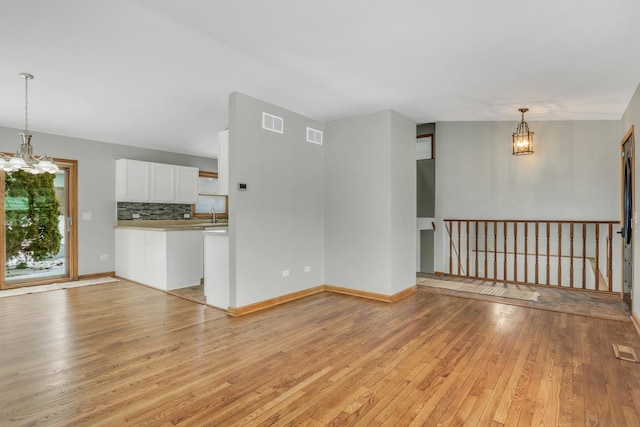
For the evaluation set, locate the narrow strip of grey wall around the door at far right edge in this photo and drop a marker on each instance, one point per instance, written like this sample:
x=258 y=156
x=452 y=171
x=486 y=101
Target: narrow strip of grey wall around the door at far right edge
x=631 y=117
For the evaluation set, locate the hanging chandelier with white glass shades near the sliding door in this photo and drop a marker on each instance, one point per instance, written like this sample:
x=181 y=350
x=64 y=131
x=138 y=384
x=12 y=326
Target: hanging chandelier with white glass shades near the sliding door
x=24 y=159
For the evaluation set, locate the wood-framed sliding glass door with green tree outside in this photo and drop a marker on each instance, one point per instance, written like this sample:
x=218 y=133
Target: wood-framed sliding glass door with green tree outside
x=39 y=239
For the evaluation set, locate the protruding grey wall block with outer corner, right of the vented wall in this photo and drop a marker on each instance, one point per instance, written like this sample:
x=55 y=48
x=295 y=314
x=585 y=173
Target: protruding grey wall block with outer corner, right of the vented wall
x=370 y=203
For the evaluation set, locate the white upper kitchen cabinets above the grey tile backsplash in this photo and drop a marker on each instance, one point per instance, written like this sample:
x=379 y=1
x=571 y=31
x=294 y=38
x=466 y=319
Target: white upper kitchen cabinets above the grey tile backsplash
x=138 y=181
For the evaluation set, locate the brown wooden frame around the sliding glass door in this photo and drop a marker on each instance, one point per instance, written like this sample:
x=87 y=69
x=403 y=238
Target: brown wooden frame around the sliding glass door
x=72 y=231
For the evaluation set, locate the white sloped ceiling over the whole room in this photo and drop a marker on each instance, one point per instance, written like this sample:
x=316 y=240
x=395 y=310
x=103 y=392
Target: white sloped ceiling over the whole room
x=157 y=73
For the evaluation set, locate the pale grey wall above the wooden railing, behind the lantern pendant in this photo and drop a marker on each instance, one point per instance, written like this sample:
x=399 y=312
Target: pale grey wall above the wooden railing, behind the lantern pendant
x=574 y=173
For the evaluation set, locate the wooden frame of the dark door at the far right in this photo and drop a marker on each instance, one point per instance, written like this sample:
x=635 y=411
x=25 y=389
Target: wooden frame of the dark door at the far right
x=628 y=136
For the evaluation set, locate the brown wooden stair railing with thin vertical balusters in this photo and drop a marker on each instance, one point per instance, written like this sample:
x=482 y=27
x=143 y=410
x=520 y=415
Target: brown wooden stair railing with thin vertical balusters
x=567 y=254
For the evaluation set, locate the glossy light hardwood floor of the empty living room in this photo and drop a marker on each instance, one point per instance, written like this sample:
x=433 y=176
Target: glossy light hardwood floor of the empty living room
x=123 y=354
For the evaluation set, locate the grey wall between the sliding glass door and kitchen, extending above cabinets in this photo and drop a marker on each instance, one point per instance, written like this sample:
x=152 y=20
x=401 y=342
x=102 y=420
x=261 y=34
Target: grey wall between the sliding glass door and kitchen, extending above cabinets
x=96 y=186
